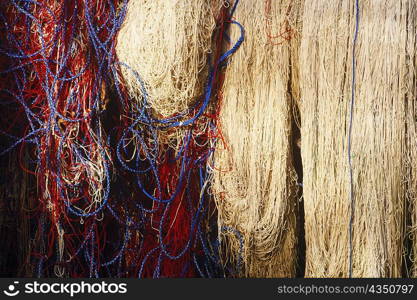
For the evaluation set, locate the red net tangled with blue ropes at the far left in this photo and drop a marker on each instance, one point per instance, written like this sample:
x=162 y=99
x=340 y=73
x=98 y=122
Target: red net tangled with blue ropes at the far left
x=67 y=50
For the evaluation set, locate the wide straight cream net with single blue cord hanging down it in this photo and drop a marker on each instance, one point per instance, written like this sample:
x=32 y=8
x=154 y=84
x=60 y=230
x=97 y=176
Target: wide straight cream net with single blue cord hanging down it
x=378 y=135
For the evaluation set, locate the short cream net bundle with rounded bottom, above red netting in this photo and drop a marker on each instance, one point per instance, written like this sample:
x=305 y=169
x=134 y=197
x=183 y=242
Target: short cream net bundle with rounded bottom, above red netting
x=167 y=43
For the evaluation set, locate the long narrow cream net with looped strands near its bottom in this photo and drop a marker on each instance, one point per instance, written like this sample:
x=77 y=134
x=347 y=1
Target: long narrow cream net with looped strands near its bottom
x=254 y=180
